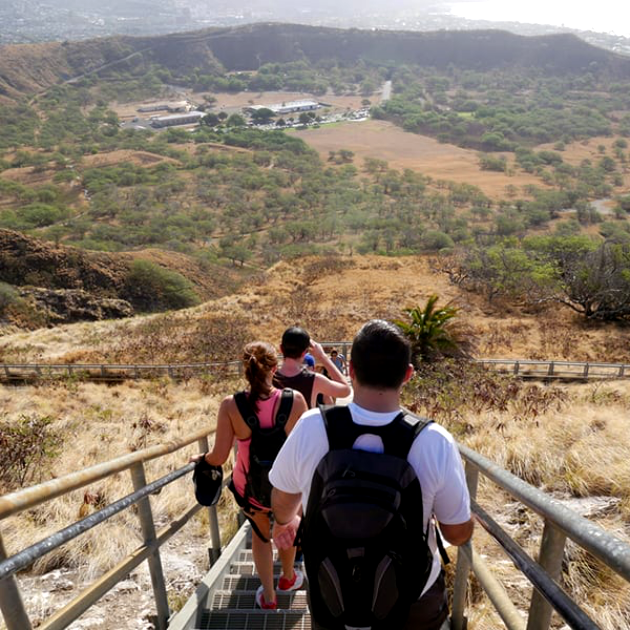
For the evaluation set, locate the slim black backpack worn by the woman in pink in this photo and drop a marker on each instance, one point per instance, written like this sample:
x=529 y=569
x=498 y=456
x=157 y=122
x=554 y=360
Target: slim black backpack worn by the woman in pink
x=264 y=445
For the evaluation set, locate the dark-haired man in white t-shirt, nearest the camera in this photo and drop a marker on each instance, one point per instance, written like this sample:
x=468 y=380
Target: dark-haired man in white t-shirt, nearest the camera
x=379 y=367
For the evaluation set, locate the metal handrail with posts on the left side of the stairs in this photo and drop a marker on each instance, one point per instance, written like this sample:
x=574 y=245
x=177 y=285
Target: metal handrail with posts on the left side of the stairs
x=11 y=604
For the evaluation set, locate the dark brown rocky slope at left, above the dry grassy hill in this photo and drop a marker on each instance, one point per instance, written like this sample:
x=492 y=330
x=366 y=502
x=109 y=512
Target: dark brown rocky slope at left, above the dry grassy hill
x=65 y=284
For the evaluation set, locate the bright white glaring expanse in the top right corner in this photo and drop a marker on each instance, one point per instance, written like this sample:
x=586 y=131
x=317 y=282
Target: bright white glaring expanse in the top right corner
x=606 y=16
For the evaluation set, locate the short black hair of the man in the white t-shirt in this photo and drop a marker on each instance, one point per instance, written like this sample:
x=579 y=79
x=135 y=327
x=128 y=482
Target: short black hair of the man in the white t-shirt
x=380 y=355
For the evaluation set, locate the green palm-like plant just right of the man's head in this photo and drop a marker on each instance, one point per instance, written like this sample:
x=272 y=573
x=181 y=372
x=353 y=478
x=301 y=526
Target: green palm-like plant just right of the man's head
x=431 y=332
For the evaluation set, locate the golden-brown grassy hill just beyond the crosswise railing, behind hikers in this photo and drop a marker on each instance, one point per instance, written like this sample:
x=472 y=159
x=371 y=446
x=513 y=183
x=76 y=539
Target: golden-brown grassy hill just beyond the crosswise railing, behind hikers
x=332 y=297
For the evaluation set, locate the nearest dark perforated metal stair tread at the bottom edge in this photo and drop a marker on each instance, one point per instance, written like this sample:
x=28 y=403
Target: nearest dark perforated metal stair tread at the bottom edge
x=254 y=620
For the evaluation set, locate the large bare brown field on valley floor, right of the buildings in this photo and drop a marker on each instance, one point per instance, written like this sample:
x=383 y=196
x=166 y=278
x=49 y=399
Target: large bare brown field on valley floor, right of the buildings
x=383 y=140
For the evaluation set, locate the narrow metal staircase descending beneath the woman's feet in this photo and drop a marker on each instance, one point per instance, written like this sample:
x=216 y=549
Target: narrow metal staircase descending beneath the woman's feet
x=225 y=598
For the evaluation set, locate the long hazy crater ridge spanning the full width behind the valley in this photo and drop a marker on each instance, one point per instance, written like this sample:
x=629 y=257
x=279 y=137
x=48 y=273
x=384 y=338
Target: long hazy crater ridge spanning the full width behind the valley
x=28 y=68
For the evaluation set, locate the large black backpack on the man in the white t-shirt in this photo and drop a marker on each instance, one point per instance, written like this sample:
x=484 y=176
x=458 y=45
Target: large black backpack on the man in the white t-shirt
x=365 y=552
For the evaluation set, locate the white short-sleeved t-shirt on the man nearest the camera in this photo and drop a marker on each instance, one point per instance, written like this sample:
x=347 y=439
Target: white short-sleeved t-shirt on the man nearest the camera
x=434 y=457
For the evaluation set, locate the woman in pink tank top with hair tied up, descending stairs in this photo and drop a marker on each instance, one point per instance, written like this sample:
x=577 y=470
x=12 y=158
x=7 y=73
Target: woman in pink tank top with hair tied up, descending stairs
x=260 y=360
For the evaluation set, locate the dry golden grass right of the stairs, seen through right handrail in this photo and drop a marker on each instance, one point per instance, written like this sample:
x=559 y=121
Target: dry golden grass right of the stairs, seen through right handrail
x=577 y=450
